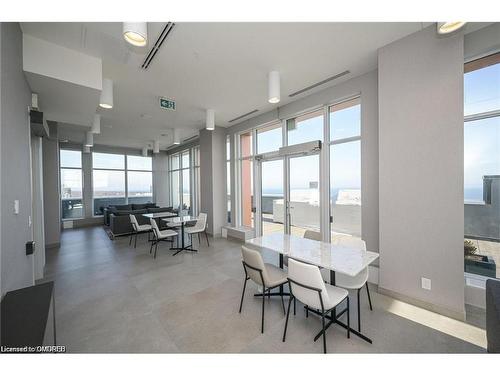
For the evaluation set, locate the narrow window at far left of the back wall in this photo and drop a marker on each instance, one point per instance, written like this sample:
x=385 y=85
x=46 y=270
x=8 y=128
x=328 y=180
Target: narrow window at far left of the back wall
x=71 y=184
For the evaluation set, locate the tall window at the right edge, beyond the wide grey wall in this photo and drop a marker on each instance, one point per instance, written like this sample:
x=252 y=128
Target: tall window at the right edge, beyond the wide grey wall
x=482 y=166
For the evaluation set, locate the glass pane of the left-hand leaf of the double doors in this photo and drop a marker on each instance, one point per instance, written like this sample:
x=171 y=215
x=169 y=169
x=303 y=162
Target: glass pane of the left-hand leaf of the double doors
x=272 y=196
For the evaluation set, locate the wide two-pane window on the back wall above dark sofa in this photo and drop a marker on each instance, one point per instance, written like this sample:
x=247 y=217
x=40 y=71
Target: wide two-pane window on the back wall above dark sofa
x=120 y=179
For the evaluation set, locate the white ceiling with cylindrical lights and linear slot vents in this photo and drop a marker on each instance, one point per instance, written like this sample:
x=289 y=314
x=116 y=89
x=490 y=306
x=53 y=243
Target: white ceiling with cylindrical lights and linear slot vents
x=223 y=66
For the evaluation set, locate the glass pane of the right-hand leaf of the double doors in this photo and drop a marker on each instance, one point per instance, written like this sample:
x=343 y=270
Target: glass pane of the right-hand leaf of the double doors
x=304 y=208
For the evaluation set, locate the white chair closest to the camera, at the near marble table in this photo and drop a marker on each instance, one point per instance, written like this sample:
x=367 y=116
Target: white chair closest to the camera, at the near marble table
x=307 y=285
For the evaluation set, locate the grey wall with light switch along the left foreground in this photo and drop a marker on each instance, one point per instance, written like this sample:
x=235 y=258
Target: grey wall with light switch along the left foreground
x=16 y=266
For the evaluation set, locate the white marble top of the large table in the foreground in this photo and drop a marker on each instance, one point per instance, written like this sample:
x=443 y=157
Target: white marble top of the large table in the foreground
x=337 y=258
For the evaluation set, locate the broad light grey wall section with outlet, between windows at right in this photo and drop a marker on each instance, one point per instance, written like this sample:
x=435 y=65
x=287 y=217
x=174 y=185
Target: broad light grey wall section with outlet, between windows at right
x=421 y=169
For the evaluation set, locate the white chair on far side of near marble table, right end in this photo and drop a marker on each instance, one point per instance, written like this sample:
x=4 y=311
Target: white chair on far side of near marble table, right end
x=354 y=282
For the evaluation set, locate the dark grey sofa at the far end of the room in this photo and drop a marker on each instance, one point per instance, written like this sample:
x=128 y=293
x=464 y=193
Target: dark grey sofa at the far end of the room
x=119 y=219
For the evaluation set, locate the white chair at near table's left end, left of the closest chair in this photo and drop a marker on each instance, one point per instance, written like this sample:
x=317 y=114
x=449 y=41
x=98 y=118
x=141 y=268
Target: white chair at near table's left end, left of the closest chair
x=266 y=275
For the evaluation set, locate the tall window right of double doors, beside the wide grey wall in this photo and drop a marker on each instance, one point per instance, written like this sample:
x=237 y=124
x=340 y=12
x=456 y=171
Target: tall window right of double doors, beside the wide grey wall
x=345 y=168
